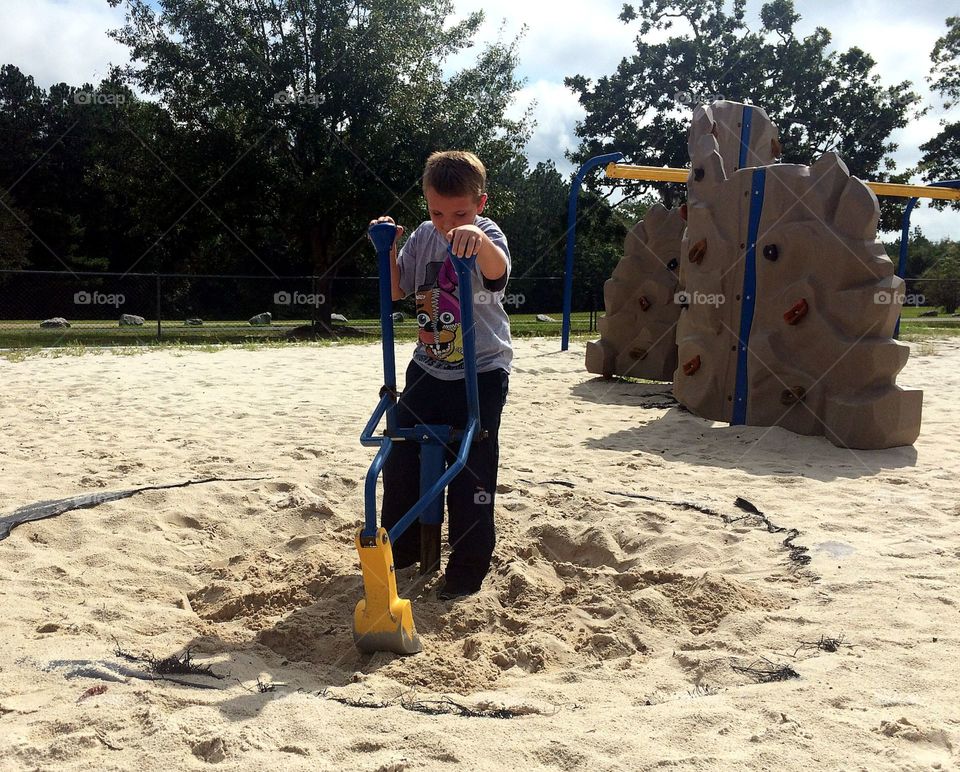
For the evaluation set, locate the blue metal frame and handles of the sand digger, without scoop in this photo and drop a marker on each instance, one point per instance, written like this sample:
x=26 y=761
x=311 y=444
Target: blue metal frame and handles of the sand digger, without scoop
x=434 y=439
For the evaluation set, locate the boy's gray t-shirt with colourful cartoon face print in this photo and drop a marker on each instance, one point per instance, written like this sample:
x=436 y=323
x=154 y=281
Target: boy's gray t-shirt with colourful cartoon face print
x=425 y=269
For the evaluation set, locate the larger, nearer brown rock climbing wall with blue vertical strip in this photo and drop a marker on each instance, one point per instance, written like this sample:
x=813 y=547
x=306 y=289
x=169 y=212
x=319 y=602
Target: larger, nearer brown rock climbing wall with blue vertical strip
x=792 y=302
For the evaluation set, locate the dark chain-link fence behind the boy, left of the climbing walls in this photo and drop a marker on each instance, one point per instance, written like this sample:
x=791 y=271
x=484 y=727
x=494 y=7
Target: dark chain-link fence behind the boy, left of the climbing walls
x=55 y=308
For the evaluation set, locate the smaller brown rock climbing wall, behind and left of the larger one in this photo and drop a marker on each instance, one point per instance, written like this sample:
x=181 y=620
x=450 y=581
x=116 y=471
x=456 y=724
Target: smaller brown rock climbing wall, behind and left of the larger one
x=638 y=336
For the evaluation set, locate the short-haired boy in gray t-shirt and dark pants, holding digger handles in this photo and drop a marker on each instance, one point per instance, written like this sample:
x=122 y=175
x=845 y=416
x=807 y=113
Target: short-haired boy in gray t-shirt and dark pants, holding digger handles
x=454 y=185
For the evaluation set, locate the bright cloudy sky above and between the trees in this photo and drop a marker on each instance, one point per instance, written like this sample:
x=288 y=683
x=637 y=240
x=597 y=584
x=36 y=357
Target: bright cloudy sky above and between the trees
x=65 y=40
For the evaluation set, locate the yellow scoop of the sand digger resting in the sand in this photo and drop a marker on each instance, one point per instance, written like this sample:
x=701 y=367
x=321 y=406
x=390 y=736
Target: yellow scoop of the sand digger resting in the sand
x=382 y=621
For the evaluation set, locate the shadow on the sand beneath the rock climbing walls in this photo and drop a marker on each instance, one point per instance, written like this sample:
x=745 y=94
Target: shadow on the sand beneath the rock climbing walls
x=679 y=436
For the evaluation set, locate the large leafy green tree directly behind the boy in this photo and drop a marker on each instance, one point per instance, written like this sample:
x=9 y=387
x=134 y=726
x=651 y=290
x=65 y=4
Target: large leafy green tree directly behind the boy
x=331 y=107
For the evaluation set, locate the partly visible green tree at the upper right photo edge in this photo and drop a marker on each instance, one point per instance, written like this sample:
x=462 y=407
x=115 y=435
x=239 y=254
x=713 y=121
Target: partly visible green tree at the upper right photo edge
x=941 y=154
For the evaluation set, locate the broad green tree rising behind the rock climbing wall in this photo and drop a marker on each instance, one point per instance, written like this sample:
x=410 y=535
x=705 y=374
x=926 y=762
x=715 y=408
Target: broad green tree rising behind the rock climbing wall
x=820 y=99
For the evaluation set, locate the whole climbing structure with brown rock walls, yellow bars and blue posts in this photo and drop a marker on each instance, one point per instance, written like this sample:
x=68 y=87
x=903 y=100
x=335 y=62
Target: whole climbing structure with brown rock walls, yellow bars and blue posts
x=825 y=363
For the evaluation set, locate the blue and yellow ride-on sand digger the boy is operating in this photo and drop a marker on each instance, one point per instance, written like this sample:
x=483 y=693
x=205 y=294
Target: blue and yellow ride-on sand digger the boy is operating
x=383 y=621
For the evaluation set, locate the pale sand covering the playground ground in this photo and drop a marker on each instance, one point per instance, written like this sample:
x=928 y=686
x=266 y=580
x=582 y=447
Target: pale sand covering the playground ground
x=609 y=629
